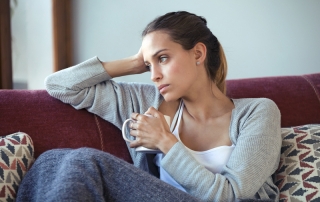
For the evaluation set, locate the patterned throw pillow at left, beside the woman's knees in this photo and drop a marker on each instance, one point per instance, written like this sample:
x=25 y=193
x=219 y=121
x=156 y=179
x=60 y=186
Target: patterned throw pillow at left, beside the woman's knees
x=16 y=152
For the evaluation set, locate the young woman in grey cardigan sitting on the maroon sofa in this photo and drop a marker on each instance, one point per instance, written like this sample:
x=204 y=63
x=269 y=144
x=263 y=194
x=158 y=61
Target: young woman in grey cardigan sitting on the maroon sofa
x=219 y=149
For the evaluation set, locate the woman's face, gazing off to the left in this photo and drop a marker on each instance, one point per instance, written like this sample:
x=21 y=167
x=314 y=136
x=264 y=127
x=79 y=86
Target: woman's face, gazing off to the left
x=173 y=69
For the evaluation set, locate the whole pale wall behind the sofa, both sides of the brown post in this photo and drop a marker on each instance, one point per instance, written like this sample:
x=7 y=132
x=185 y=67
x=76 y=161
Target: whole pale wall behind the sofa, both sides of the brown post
x=260 y=38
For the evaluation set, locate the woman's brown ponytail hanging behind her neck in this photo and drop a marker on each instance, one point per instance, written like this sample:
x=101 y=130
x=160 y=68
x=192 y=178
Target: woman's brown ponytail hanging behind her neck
x=221 y=73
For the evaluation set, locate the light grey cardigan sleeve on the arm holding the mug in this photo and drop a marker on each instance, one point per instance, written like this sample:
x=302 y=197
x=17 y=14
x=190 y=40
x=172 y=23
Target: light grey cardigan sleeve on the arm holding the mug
x=248 y=172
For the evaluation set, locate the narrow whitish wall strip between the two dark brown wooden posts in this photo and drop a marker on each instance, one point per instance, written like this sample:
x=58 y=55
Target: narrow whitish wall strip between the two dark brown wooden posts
x=32 y=46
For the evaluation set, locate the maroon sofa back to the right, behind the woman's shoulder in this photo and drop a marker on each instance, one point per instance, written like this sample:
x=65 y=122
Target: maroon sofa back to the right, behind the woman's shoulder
x=298 y=97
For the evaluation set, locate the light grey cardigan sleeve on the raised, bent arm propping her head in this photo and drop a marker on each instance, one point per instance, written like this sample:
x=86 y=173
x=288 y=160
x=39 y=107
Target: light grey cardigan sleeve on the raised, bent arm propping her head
x=88 y=86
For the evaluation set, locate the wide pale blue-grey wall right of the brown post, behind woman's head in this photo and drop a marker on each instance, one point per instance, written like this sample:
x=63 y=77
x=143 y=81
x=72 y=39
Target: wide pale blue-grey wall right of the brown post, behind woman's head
x=260 y=38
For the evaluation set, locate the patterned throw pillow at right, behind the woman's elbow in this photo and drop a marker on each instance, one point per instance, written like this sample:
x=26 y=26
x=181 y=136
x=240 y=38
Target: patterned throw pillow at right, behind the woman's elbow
x=298 y=175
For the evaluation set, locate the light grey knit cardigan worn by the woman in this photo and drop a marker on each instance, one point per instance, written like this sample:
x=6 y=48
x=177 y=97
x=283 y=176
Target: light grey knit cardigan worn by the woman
x=254 y=130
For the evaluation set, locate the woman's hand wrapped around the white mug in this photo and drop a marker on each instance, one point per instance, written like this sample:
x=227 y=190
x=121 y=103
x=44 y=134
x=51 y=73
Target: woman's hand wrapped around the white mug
x=151 y=131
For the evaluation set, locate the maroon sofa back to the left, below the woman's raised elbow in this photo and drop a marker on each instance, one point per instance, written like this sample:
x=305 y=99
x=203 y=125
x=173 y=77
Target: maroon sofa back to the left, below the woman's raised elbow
x=53 y=124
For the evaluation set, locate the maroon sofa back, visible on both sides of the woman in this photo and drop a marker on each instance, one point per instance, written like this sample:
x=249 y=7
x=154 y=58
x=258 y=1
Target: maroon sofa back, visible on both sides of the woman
x=53 y=124
